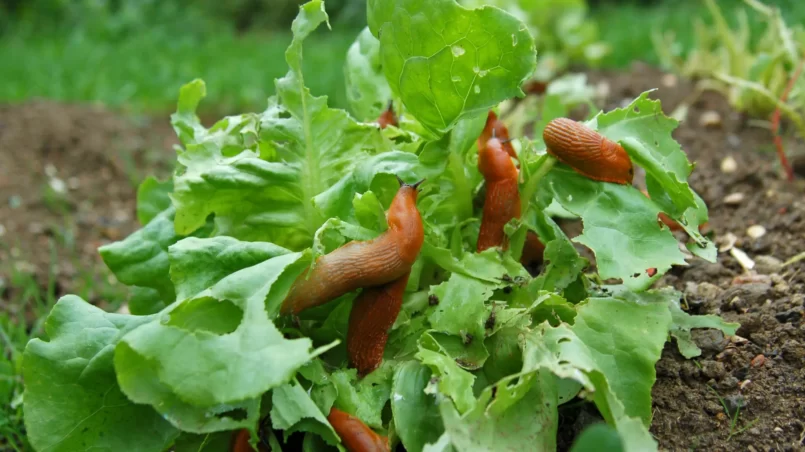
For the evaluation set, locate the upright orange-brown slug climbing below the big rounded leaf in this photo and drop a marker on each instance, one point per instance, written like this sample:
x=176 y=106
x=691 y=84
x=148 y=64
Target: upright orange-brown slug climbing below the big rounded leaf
x=502 y=201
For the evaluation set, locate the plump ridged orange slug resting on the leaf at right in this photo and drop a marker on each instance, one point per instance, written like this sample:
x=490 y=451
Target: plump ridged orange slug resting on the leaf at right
x=588 y=152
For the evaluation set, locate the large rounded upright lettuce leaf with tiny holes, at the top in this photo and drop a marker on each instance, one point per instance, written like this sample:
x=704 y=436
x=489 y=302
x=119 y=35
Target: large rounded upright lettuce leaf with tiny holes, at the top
x=445 y=61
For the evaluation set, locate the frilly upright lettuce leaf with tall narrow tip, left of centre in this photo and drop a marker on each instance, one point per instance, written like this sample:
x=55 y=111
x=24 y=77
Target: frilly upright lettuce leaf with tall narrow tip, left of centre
x=259 y=174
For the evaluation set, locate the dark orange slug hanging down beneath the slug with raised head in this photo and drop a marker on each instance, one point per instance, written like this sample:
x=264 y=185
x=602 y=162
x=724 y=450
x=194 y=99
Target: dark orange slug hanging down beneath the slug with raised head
x=372 y=316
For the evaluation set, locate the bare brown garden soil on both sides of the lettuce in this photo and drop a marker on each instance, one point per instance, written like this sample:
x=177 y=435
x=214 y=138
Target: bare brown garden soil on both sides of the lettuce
x=98 y=156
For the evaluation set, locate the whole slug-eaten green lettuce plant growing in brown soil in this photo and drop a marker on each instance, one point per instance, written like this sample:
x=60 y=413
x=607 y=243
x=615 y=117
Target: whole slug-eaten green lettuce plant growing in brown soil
x=483 y=354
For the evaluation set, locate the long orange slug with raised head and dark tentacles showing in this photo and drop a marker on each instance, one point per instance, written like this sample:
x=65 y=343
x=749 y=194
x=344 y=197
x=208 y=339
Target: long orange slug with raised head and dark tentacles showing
x=363 y=263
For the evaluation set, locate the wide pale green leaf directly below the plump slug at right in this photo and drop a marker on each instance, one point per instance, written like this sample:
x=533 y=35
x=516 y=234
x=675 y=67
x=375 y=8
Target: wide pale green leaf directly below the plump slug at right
x=620 y=227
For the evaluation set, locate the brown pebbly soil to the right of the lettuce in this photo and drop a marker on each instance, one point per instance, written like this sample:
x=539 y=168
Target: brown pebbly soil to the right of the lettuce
x=768 y=302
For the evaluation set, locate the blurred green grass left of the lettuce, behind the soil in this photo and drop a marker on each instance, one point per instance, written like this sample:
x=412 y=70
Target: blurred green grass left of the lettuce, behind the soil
x=143 y=73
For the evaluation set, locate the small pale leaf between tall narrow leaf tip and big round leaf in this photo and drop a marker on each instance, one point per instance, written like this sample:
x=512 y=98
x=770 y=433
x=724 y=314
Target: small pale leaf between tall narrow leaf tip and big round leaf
x=368 y=93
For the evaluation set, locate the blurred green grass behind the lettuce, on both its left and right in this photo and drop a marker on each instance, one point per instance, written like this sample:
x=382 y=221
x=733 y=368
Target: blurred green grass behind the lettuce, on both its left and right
x=142 y=71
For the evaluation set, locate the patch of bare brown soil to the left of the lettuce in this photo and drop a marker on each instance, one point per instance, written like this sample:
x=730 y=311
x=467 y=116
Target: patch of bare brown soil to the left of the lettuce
x=68 y=177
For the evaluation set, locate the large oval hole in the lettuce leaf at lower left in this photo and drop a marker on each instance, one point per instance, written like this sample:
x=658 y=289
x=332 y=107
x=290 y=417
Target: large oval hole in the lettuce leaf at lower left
x=207 y=314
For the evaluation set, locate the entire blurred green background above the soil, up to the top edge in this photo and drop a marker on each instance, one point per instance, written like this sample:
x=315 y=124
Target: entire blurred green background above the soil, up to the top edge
x=134 y=54
